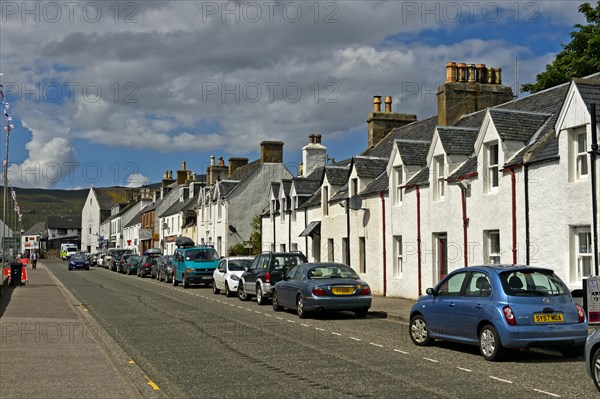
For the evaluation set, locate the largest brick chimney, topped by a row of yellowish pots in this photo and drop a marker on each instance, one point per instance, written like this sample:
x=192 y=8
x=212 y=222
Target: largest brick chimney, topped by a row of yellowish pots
x=469 y=88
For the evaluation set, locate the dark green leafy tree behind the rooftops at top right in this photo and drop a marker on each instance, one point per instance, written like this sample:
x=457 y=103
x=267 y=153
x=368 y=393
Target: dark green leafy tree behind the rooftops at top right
x=579 y=58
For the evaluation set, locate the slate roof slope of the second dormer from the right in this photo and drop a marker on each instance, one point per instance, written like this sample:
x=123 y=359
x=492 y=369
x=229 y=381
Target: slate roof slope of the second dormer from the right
x=516 y=125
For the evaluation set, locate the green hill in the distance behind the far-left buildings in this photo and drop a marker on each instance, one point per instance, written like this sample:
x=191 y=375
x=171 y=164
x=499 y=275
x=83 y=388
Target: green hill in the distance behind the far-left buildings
x=37 y=204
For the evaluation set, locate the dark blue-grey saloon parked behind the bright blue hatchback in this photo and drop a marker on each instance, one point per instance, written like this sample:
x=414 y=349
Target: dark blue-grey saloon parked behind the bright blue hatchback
x=322 y=286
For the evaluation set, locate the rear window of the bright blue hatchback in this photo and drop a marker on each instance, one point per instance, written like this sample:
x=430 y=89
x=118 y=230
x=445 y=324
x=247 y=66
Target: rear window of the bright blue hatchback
x=532 y=283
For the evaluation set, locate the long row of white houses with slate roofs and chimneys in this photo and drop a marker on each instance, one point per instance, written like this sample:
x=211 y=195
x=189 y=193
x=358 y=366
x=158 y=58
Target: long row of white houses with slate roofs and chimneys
x=487 y=180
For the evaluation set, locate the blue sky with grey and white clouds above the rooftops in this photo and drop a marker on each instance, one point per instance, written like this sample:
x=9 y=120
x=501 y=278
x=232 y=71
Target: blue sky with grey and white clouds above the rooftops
x=106 y=93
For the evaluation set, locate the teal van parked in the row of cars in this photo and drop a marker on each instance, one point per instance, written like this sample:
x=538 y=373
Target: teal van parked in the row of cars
x=193 y=264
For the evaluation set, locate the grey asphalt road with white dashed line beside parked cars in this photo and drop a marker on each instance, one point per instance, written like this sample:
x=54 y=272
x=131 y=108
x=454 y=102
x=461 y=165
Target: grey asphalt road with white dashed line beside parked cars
x=194 y=344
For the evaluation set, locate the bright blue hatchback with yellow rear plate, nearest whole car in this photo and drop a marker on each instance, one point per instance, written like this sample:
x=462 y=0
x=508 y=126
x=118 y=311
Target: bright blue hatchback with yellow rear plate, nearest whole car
x=498 y=308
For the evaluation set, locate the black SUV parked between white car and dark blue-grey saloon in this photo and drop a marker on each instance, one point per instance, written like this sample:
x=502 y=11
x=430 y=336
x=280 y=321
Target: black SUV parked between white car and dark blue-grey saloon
x=266 y=269
